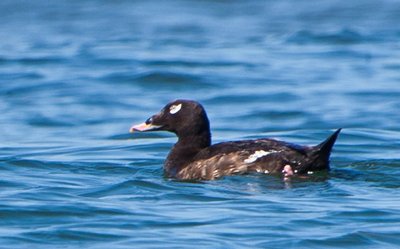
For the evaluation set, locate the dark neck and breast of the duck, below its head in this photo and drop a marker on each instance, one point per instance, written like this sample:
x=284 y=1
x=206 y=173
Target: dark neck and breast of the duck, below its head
x=184 y=151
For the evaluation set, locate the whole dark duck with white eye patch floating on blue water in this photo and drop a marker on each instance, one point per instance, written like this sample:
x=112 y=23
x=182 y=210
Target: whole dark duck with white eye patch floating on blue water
x=194 y=157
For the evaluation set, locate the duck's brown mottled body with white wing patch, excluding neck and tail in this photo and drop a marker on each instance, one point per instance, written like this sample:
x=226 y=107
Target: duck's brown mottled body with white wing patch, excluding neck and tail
x=239 y=157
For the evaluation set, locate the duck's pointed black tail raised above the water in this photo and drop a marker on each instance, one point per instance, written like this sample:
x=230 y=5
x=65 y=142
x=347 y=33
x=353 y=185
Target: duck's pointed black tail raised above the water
x=319 y=154
